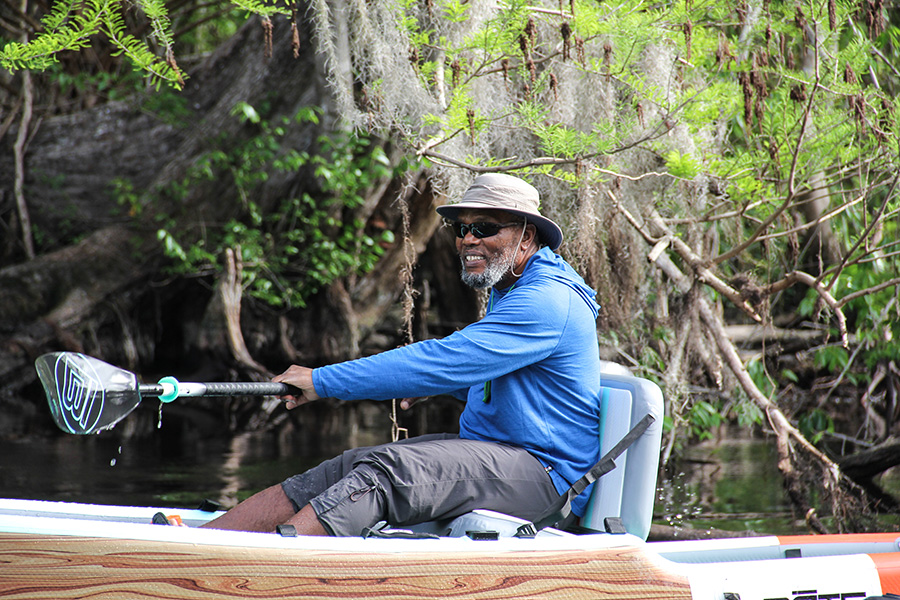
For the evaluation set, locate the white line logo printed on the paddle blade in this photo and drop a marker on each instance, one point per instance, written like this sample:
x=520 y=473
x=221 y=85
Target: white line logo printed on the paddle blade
x=79 y=393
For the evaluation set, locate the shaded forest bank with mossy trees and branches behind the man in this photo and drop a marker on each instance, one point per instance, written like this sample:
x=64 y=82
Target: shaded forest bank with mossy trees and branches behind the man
x=726 y=177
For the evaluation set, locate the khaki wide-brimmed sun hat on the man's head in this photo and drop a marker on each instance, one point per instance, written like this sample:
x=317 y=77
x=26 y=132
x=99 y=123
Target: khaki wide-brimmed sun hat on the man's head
x=496 y=191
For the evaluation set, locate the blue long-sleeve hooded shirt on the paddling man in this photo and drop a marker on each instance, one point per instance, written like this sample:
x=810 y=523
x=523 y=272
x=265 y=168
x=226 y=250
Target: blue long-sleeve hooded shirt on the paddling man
x=537 y=345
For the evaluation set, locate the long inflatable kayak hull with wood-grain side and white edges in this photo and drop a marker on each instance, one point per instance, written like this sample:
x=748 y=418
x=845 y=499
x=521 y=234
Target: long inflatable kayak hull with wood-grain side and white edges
x=67 y=551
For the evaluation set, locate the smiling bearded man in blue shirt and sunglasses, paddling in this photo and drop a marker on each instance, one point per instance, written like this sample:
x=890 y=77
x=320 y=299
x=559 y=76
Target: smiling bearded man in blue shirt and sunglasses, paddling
x=529 y=372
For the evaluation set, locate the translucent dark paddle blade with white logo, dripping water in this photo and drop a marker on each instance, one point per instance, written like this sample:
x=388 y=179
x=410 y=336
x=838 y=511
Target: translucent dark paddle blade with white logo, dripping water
x=86 y=395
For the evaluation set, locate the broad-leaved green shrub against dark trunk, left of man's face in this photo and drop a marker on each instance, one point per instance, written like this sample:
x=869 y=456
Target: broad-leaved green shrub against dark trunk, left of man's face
x=292 y=250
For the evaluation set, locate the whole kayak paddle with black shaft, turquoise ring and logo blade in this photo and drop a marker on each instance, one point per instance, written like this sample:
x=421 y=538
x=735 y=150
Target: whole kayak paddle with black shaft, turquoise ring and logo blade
x=87 y=395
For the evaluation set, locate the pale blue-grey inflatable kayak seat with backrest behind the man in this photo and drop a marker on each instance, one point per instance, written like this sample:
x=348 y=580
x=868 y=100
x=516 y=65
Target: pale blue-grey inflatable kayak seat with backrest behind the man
x=627 y=492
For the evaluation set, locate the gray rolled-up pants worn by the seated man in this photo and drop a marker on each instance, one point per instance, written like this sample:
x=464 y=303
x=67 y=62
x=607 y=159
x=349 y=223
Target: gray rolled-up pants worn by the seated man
x=421 y=479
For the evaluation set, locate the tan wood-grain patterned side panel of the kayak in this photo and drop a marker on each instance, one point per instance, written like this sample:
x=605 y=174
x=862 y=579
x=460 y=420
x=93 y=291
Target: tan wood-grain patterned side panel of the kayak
x=64 y=567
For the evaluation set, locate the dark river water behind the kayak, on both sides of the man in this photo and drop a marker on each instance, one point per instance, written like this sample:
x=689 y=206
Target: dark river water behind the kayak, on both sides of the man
x=727 y=484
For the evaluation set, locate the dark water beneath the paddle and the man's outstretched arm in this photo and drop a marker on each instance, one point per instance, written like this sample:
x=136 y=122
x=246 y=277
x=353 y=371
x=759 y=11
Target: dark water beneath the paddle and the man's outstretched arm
x=186 y=461
